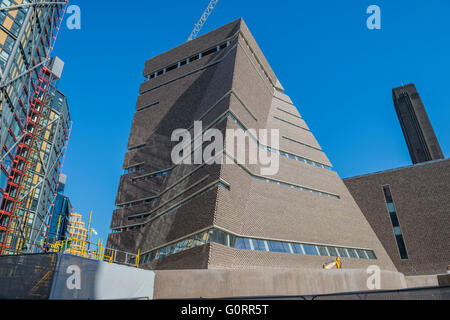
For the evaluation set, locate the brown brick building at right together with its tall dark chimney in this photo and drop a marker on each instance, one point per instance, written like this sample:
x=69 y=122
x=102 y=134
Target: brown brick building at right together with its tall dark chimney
x=409 y=207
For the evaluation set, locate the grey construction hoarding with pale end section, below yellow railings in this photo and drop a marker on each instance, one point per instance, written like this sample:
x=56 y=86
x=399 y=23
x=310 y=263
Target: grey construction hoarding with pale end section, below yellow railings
x=58 y=276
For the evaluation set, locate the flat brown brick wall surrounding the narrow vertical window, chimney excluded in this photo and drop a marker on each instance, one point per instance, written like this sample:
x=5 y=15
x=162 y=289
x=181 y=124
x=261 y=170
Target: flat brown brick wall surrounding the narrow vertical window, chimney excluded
x=421 y=196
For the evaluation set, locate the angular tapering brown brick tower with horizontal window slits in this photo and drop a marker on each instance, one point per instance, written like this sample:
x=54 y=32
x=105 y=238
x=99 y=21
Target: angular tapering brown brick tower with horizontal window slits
x=228 y=215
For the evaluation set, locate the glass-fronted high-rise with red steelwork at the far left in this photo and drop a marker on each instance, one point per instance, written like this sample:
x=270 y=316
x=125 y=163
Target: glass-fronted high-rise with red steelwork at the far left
x=34 y=121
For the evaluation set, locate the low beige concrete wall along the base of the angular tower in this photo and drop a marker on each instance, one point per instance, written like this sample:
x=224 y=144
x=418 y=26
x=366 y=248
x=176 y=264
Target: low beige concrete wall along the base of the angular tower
x=265 y=282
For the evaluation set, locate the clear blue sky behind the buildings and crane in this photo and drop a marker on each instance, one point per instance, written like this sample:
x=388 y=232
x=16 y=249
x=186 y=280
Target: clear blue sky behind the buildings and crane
x=338 y=73
